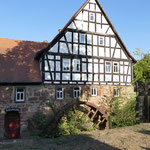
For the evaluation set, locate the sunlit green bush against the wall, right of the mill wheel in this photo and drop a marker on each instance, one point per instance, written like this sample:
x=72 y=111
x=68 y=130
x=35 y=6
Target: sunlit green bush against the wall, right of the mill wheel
x=123 y=112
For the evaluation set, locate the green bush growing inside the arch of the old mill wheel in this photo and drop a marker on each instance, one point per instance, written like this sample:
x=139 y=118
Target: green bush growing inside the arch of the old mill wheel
x=75 y=121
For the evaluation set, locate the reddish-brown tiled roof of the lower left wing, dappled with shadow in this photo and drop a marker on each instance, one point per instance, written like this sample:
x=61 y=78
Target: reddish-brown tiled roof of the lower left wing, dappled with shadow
x=17 y=63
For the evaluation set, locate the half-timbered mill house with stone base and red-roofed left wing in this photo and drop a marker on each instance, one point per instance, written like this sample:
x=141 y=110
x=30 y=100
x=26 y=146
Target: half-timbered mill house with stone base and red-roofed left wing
x=86 y=59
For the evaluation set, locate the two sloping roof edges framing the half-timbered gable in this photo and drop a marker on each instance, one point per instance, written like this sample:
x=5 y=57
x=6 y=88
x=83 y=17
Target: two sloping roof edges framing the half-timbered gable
x=52 y=43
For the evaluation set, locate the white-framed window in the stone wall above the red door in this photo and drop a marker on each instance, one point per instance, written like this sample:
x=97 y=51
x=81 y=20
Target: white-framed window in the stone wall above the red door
x=20 y=95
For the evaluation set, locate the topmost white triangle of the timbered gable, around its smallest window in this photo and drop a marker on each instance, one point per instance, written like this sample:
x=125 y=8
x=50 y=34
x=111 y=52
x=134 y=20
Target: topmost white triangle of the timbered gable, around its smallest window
x=99 y=25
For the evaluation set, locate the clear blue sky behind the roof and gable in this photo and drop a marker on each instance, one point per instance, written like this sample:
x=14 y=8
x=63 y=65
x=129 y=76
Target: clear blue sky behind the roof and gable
x=39 y=20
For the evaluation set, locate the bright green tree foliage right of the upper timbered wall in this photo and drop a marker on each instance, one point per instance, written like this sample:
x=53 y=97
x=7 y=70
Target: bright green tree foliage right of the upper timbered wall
x=142 y=69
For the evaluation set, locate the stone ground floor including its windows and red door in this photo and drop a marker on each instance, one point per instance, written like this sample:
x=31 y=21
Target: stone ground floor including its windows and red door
x=19 y=103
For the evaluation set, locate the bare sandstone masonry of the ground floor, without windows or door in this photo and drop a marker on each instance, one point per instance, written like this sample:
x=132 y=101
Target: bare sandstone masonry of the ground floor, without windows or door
x=35 y=95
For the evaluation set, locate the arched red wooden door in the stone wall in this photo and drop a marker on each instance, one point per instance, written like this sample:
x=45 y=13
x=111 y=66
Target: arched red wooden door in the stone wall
x=12 y=125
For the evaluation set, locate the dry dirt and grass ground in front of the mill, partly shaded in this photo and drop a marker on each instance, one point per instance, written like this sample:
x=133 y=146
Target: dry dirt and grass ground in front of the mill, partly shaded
x=129 y=138
